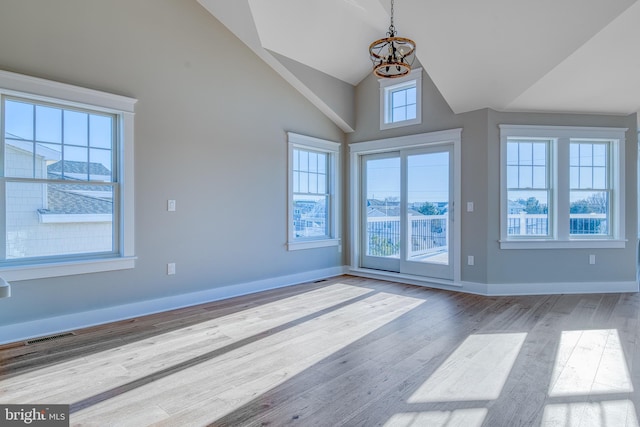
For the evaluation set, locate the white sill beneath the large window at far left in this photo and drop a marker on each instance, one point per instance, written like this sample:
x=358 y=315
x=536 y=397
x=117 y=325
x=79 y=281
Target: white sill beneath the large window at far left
x=45 y=270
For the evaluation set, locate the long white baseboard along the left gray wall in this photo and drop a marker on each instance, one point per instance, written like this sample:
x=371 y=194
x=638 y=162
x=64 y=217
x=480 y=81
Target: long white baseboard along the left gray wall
x=55 y=325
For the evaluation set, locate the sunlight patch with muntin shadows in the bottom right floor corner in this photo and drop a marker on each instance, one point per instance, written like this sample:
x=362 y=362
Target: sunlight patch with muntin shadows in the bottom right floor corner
x=616 y=413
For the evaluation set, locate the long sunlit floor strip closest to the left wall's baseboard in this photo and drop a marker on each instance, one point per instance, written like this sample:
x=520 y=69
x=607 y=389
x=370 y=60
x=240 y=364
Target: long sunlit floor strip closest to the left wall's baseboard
x=114 y=367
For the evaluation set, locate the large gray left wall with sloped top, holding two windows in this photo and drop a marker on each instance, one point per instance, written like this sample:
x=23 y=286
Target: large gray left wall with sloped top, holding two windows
x=210 y=132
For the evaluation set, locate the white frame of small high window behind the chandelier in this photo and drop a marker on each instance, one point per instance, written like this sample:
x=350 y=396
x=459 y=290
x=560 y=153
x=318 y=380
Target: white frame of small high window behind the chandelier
x=388 y=86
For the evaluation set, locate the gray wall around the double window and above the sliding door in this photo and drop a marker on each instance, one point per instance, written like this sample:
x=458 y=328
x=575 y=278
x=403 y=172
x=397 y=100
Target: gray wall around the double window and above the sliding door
x=480 y=178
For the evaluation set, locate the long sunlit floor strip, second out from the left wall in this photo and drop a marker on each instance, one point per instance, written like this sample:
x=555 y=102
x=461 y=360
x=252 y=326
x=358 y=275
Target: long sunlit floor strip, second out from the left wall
x=217 y=387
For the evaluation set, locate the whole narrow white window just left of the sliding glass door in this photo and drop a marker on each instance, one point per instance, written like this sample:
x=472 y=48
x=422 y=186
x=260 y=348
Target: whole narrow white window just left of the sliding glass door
x=312 y=192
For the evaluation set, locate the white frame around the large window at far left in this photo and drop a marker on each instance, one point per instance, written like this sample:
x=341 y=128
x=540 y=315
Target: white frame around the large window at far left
x=41 y=90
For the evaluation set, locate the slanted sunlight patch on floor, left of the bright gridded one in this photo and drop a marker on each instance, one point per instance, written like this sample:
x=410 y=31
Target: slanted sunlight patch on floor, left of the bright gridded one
x=477 y=370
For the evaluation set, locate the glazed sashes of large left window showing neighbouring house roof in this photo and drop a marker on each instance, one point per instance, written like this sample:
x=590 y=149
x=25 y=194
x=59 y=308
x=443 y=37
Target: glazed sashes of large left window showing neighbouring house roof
x=50 y=150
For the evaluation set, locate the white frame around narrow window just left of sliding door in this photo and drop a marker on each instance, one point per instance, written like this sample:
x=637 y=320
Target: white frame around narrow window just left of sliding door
x=332 y=149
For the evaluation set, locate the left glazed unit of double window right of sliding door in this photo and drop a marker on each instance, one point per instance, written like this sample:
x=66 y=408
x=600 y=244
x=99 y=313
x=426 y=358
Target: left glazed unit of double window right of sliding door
x=528 y=189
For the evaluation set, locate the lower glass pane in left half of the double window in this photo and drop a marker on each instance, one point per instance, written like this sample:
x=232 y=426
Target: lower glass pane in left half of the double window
x=528 y=213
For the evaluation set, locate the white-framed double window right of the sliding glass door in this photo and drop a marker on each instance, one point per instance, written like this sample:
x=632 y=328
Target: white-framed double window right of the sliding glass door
x=562 y=187
